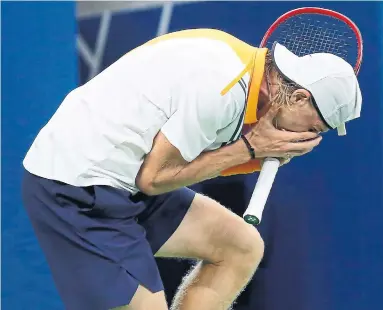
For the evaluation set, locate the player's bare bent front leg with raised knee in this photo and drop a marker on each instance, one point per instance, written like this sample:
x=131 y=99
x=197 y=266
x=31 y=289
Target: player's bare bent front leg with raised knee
x=230 y=251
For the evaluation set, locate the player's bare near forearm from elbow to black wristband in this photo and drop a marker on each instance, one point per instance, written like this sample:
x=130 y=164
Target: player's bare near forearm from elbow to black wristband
x=206 y=166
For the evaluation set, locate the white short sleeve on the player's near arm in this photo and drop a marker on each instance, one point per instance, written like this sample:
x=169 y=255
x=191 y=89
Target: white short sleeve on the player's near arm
x=201 y=112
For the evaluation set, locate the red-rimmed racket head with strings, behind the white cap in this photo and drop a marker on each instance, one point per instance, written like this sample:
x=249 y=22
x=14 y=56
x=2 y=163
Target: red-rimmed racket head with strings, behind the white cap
x=312 y=30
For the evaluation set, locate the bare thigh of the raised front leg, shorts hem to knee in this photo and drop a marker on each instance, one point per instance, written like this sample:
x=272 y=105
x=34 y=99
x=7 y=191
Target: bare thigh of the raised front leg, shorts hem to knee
x=207 y=230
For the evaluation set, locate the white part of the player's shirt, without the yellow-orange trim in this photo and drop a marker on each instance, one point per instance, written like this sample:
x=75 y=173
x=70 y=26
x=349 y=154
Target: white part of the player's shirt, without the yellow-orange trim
x=102 y=131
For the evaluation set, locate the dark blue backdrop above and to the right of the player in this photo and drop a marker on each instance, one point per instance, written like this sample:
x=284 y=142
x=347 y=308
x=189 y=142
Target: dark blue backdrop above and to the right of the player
x=322 y=226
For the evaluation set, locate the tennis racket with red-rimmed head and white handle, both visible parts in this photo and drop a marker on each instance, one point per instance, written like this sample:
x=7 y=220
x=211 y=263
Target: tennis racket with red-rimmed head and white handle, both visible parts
x=305 y=31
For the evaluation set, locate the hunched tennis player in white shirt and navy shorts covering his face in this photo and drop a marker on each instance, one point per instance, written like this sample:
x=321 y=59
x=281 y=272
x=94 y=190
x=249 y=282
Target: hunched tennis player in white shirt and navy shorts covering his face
x=105 y=178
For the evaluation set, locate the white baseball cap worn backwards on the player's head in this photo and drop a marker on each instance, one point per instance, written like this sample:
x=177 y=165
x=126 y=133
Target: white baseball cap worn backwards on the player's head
x=330 y=80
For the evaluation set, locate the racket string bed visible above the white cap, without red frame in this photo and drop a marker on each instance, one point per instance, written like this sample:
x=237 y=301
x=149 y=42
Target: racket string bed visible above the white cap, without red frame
x=306 y=35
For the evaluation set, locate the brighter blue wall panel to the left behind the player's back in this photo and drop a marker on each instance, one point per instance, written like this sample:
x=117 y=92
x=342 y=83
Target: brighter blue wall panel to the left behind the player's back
x=39 y=67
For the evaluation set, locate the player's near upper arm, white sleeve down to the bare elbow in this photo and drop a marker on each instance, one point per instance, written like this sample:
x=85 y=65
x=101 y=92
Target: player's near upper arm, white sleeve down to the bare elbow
x=202 y=112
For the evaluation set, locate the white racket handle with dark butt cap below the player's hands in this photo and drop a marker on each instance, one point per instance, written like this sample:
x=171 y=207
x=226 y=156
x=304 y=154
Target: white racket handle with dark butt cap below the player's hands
x=253 y=213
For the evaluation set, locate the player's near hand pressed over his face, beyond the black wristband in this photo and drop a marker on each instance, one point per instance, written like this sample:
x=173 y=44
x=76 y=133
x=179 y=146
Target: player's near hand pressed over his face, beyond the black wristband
x=268 y=141
